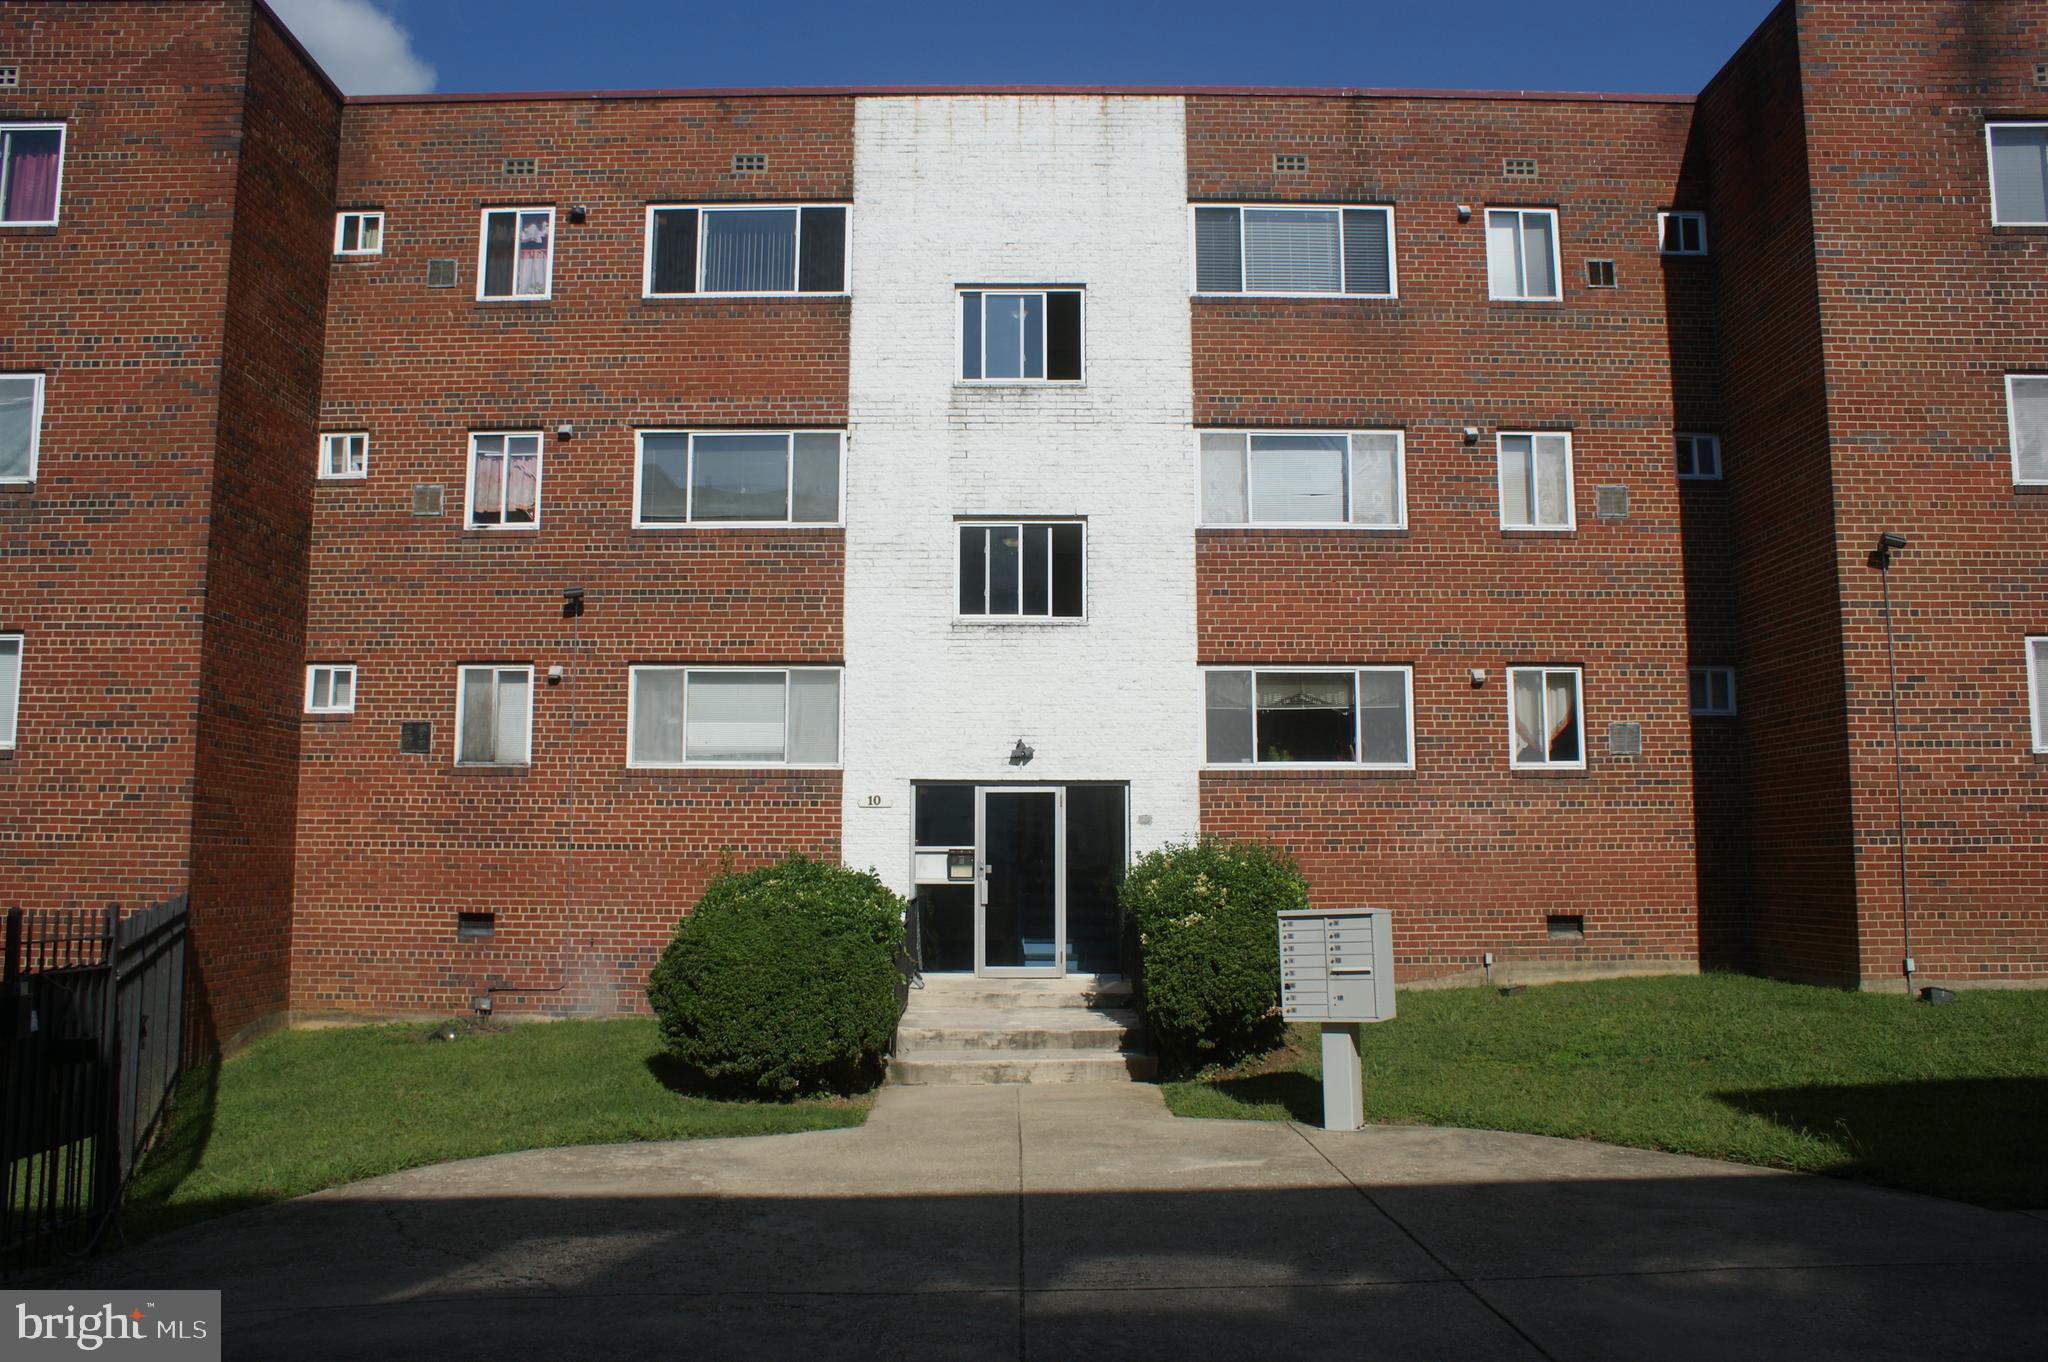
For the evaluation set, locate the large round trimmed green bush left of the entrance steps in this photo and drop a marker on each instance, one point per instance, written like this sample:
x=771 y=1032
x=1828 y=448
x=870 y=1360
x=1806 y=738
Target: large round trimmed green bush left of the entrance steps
x=783 y=980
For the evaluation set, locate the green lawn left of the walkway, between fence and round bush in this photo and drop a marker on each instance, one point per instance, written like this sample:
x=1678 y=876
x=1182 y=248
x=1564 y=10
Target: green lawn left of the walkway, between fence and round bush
x=312 y=1109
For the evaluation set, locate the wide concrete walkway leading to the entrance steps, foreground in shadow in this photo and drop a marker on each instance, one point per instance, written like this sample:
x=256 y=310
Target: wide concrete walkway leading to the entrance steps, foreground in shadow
x=1089 y=1224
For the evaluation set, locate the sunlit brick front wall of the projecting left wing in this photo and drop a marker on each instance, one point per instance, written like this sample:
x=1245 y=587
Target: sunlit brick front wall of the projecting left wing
x=103 y=562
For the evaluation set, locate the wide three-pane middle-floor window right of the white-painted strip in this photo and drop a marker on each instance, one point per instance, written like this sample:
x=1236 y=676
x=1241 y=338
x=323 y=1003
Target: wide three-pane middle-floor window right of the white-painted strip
x=1353 y=480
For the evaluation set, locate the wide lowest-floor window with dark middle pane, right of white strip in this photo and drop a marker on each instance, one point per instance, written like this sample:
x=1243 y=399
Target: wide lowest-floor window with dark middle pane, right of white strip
x=1310 y=716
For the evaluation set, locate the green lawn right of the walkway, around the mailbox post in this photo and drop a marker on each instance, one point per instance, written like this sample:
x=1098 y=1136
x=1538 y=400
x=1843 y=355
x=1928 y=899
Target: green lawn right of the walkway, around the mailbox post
x=1949 y=1101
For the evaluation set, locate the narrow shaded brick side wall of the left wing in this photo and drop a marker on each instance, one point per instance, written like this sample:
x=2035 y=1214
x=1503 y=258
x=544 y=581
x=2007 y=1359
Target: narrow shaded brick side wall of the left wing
x=255 y=644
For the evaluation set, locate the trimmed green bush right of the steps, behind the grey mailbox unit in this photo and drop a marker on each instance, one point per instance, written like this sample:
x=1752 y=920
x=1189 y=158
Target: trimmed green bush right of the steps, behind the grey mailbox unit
x=1209 y=947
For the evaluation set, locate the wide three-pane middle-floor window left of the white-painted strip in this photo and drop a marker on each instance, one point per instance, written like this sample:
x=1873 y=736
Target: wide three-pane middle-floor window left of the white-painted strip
x=738 y=478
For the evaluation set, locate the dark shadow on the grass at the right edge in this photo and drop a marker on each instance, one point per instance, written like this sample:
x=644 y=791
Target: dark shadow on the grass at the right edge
x=1967 y=1140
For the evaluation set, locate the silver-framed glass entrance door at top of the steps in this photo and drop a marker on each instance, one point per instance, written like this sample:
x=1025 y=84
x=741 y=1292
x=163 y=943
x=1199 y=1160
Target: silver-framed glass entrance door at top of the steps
x=1021 y=927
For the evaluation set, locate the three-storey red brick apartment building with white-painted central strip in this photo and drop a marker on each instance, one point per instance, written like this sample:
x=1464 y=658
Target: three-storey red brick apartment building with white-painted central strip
x=439 y=534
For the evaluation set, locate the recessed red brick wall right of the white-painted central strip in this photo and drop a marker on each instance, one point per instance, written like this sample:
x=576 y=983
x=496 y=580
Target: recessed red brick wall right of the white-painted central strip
x=1471 y=855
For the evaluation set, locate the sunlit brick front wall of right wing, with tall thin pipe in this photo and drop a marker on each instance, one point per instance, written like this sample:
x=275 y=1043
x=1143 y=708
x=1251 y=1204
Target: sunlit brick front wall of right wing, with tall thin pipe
x=1926 y=306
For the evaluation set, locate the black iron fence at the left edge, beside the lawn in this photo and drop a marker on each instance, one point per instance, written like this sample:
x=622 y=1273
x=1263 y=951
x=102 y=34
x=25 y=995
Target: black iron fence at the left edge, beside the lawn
x=91 y=1048
